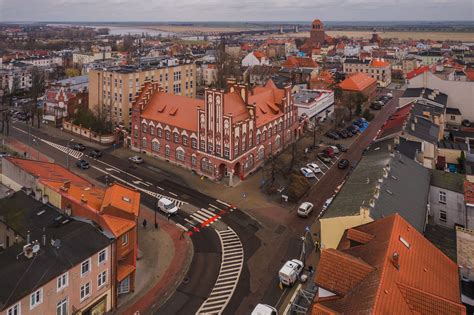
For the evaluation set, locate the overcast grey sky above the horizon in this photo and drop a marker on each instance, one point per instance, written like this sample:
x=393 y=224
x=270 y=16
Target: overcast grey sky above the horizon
x=231 y=10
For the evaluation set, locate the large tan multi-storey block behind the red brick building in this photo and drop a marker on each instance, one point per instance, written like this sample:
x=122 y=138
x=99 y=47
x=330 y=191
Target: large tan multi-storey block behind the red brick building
x=113 y=90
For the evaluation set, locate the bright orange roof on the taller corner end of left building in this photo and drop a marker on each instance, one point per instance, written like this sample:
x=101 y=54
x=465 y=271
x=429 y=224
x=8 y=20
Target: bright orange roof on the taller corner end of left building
x=123 y=198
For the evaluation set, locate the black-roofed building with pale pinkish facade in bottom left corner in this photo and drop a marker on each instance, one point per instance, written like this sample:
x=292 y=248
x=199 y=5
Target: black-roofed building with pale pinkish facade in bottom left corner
x=47 y=268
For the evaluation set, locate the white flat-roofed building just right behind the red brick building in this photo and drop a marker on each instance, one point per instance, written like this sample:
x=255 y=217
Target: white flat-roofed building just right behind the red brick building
x=314 y=104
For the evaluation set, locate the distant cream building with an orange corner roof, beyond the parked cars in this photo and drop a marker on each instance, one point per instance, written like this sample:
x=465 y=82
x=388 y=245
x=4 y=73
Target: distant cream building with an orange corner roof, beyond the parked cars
x=378 y=69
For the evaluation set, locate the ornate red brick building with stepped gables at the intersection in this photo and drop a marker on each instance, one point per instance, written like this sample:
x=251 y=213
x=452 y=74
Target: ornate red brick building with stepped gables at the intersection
x=226 y=134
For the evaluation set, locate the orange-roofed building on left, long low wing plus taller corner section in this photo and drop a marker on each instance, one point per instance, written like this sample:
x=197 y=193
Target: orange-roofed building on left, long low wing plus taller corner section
x=115 y=209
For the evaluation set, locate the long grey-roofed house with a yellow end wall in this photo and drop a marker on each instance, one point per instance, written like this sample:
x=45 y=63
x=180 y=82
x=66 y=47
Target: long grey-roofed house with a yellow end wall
x=383 y=183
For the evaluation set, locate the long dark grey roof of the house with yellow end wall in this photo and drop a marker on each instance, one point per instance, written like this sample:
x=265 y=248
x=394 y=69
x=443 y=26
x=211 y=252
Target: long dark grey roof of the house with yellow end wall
x=404 y=191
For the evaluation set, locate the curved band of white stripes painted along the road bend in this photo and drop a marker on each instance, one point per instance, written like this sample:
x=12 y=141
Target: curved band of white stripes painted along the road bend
x=229 y=273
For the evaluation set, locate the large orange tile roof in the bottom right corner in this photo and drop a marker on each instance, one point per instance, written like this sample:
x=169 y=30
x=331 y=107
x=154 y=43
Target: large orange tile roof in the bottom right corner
x=425 y=282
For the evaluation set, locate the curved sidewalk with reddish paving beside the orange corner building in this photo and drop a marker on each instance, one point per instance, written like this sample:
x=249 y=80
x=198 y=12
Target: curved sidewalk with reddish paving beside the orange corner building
x=166 y=256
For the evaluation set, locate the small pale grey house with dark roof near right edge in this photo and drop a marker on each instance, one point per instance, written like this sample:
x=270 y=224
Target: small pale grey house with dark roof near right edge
x=447 y=206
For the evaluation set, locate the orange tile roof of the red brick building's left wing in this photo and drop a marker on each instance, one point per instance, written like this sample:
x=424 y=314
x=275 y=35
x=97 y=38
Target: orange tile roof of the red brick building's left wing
x=162 y=105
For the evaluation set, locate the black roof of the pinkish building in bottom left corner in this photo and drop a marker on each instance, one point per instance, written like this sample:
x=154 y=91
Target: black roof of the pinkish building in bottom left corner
x=20 y=275
